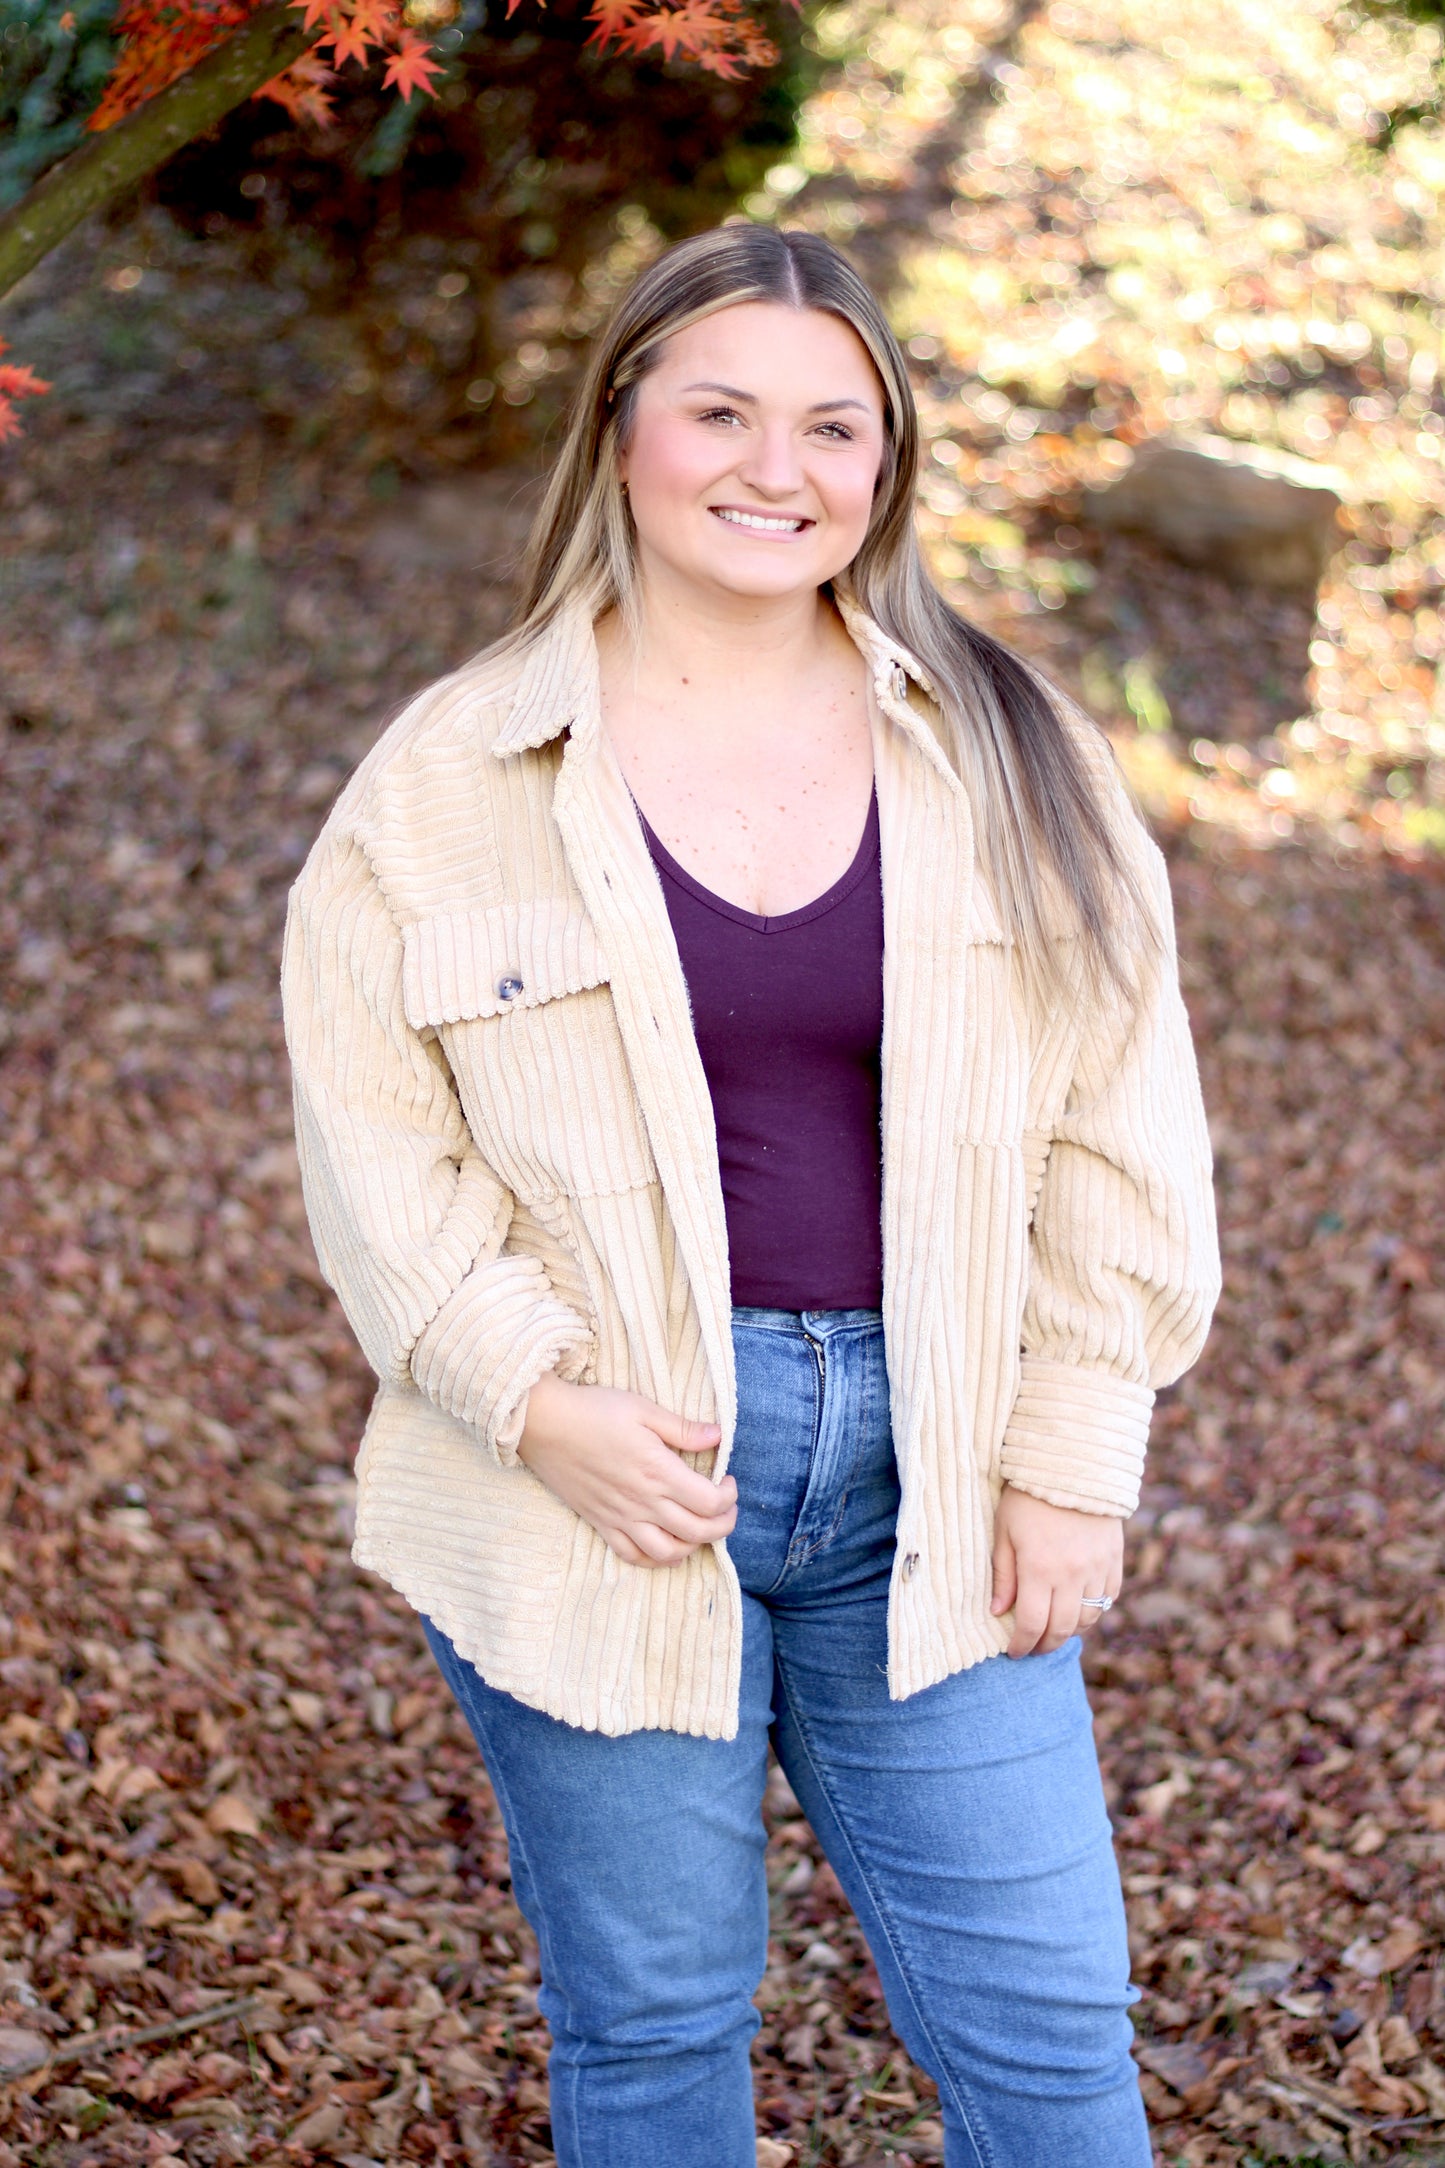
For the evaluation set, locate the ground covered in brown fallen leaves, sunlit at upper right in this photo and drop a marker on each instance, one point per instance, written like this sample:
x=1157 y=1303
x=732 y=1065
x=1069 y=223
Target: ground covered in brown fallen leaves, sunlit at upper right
x=231 y=1770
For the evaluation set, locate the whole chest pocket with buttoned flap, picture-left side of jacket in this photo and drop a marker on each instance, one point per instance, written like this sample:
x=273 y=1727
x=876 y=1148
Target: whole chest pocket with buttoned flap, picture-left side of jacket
x=521 y=1003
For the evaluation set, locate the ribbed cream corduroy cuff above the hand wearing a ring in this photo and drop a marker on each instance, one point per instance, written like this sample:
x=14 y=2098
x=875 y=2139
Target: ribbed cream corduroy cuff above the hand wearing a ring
x=1078 y=1436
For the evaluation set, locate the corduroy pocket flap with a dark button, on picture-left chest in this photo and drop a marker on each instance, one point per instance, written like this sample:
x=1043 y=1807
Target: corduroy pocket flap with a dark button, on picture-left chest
x=482 y=964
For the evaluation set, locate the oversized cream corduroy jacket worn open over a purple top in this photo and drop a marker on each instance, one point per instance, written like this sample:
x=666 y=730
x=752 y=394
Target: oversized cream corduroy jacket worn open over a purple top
x=510 y=1165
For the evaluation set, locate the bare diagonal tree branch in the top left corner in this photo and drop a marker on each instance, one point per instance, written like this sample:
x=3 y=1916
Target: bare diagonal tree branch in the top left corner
x=135 y=146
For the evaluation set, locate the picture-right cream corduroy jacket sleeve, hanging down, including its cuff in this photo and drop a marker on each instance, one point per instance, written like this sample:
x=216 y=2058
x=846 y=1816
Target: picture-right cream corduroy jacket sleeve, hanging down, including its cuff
x=1123 y=1261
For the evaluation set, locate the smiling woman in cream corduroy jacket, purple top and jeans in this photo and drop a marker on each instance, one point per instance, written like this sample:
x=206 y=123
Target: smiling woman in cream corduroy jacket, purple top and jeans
x=748 y=1115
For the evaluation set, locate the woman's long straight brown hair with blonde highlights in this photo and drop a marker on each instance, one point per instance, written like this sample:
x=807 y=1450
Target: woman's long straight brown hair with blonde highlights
x=1034 y=766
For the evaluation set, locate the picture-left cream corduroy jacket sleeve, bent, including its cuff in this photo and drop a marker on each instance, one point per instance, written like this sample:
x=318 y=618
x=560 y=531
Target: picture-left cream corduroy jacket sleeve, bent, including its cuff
x=408 y=1219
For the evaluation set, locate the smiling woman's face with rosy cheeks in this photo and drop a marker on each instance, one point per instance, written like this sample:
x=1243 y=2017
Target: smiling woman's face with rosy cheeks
x=755 y=450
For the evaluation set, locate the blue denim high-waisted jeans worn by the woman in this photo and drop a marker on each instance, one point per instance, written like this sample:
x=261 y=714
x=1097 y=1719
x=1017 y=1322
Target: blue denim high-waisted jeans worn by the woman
x=967 y=1827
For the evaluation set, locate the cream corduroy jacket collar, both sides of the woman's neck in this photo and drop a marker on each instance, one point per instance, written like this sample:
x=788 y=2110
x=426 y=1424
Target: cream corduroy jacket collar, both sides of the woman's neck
x=558 y=684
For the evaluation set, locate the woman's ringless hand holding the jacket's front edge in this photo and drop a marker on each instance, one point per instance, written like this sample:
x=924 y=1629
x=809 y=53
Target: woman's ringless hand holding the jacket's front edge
x=614 y=1460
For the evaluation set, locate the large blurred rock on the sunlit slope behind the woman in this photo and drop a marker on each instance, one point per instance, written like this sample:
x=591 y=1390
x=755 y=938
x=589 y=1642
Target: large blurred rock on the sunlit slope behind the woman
x=1247 y=511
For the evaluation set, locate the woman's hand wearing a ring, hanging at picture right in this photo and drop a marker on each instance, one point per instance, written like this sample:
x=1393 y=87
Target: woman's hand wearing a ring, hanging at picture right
x=1047 y=1558
